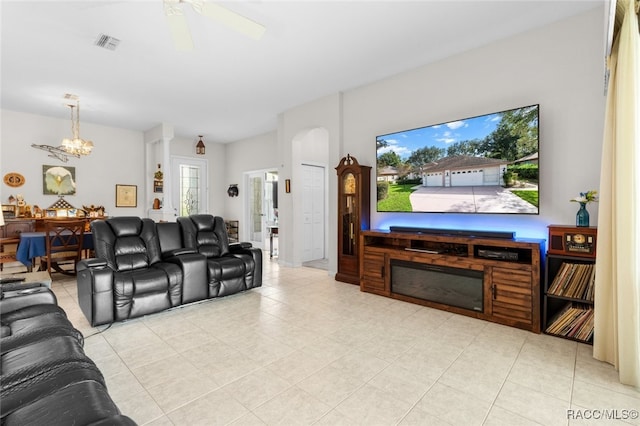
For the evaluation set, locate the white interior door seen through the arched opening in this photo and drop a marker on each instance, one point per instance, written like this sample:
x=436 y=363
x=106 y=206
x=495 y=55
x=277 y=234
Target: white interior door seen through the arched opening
x=313 y=212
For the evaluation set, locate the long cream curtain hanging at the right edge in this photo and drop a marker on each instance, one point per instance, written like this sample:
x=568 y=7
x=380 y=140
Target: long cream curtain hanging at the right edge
x=617 y=287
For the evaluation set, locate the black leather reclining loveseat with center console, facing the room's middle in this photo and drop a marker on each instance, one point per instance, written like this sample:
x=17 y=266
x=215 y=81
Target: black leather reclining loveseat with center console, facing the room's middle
x=142 y=267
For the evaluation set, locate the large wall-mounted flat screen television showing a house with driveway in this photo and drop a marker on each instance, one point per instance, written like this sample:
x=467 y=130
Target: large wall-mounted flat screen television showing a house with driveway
x=483 y=164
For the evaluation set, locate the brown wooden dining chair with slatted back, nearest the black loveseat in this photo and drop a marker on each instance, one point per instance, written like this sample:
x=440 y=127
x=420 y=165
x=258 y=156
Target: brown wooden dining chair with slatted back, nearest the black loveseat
x=63 y=243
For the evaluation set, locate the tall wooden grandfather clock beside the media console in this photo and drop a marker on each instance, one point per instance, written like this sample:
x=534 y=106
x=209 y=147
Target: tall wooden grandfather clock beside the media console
x=354 y=186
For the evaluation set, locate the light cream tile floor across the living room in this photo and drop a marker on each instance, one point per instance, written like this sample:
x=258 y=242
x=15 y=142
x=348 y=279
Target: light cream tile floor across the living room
x=306 y=350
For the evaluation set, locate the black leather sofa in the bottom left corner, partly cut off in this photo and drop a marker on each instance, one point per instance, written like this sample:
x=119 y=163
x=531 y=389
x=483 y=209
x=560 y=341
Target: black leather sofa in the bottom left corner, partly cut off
x=46 y=378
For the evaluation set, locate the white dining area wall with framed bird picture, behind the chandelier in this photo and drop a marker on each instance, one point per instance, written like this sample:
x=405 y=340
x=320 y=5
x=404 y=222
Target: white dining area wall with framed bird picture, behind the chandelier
x=117 y=158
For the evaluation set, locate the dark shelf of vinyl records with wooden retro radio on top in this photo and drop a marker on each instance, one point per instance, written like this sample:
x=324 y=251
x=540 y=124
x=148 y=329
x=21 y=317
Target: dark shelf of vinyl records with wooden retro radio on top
x=568 y=307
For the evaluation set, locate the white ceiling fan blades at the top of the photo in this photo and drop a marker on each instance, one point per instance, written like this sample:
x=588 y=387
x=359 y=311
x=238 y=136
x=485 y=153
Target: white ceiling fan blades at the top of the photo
x=180 y=30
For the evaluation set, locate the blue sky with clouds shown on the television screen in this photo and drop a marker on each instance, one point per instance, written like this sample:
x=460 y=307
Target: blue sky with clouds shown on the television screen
x=440 y=135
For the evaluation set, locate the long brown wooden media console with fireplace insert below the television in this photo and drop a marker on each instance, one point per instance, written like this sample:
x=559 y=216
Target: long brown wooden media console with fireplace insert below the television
x=495 y=279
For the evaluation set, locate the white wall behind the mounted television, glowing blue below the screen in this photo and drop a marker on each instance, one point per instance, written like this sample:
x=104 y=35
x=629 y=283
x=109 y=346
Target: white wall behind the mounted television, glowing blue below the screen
x=559 y=67
